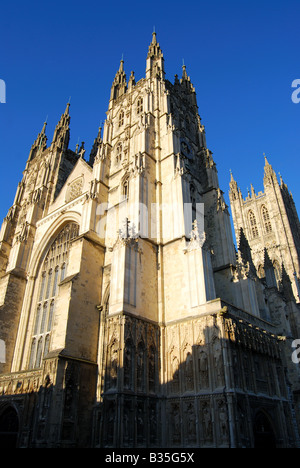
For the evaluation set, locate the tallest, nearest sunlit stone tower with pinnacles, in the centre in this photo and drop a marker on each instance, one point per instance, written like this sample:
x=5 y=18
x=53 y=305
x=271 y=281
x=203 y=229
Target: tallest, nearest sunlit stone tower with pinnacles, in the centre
x=174 y=238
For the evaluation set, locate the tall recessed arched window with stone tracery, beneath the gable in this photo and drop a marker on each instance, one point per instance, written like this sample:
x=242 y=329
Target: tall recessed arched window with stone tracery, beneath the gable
x=53 y=270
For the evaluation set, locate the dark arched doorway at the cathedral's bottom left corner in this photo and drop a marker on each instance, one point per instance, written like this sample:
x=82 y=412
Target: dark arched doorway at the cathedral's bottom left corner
x=9 y=427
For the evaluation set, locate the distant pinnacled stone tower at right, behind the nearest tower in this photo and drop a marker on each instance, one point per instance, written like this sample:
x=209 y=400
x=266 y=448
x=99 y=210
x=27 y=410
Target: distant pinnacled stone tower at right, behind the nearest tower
x=270 y=222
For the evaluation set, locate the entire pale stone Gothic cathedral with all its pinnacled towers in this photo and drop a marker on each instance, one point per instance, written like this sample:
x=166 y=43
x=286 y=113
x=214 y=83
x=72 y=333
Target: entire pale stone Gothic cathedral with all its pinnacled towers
x=129 y=315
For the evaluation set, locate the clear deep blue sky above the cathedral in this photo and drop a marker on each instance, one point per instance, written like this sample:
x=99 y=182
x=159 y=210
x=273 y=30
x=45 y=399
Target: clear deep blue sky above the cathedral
x=242 y=57
